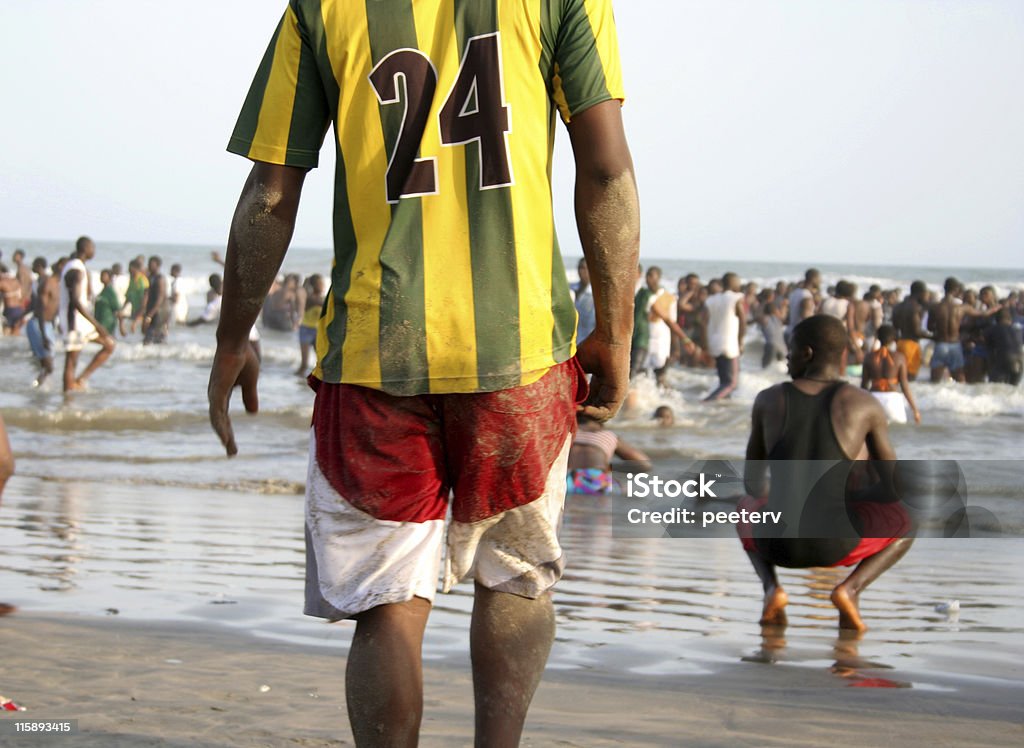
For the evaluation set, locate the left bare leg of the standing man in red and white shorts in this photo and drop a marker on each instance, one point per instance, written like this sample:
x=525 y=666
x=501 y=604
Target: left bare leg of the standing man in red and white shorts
x=385 y=678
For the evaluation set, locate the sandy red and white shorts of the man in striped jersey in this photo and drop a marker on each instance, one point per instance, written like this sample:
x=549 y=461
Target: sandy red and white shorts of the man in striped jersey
x=383 y=471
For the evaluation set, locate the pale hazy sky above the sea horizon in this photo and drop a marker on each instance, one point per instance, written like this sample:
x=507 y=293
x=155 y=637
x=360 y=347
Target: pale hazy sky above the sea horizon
x=880 y=132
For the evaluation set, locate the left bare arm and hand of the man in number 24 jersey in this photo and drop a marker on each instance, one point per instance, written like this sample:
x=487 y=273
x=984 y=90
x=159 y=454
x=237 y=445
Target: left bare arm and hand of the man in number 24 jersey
x=262 y=231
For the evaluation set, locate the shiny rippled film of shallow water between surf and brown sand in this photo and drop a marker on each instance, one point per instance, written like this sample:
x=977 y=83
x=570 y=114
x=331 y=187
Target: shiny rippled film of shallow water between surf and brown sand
x=660 y=607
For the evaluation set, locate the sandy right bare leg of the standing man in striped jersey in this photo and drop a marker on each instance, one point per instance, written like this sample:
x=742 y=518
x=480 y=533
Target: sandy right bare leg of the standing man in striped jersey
x=510 y=639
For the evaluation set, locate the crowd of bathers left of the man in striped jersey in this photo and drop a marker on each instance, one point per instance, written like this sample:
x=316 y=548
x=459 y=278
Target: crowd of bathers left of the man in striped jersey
x=59 y=302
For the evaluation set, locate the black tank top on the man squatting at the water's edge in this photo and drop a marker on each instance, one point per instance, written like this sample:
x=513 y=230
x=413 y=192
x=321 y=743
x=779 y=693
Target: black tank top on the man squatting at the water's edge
x=809 y=476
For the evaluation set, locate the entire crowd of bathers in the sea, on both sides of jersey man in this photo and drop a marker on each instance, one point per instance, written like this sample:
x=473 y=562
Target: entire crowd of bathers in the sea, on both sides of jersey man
x=964 y=334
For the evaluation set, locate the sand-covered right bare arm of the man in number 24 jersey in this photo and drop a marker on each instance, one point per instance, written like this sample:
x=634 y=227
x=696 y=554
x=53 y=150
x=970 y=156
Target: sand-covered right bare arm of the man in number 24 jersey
x=609 y=221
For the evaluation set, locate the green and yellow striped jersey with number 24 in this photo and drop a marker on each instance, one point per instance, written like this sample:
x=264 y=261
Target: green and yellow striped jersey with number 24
x=447 y=275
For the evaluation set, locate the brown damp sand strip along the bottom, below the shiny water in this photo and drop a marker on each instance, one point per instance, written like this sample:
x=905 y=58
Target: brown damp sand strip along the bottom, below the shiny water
x=179 y=684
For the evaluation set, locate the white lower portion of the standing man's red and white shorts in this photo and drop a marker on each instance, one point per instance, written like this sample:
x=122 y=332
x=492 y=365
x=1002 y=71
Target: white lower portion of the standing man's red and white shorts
x=356 y=562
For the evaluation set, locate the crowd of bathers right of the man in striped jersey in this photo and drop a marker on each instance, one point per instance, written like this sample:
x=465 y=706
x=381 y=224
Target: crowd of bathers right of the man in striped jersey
x=965 y=335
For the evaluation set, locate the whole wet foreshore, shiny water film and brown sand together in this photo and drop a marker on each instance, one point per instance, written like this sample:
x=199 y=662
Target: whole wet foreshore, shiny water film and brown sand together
x=156 y=619
